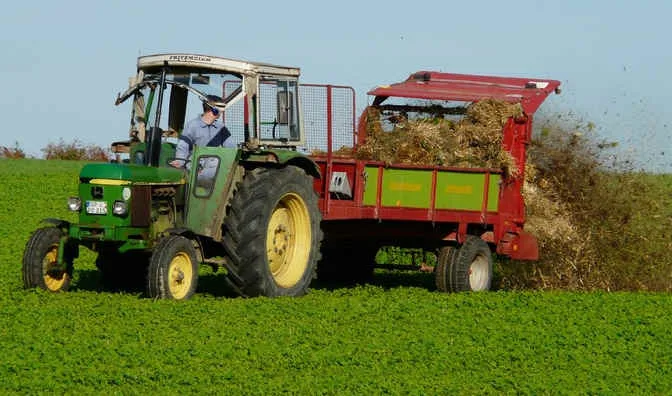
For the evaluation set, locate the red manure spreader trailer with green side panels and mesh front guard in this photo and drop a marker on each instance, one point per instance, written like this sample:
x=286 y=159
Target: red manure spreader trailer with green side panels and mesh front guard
x=464 y=213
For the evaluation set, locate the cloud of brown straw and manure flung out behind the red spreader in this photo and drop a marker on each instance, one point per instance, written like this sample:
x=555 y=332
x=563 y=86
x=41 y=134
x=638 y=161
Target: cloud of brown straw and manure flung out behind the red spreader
x=593 y=220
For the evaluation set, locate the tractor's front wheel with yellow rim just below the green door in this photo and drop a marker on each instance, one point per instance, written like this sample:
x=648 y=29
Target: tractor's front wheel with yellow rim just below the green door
x=173 y=269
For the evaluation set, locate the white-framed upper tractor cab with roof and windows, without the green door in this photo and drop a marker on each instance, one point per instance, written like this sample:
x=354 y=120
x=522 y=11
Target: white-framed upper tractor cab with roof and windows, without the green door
x=259 y=104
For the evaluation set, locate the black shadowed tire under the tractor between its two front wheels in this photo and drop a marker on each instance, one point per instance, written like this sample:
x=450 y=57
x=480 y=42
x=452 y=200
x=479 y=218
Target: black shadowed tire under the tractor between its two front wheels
x=122 y=271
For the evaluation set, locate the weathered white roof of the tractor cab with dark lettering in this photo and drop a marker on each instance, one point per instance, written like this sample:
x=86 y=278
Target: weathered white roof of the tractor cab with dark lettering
x=215 y=63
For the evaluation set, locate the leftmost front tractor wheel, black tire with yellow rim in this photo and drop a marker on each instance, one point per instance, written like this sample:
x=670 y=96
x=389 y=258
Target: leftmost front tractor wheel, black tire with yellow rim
x=40 y=268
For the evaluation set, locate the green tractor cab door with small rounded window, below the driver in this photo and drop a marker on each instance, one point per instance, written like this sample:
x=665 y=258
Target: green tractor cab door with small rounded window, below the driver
x=210 y=177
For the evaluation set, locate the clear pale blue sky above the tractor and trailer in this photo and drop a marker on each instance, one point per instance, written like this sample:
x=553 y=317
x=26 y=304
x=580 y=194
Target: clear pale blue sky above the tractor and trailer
x=64 y=62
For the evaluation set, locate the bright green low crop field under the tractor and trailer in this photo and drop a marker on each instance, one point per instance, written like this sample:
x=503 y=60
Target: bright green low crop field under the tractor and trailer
x=396 y=335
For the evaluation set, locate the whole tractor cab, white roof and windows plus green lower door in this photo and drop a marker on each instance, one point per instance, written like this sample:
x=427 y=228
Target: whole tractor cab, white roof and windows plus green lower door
x=257 y=103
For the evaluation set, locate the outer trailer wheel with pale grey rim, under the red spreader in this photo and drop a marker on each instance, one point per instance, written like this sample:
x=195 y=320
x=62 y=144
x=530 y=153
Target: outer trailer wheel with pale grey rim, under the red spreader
x=471 y=266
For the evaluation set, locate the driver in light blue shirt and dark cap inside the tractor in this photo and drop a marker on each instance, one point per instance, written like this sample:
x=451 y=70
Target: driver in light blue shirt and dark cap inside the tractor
x=205 y=130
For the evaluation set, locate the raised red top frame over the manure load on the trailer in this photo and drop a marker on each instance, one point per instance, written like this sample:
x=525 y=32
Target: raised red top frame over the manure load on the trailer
x=529 y=92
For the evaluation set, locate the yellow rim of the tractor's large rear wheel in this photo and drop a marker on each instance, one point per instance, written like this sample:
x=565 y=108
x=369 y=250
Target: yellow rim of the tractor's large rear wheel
x=288 y=240
